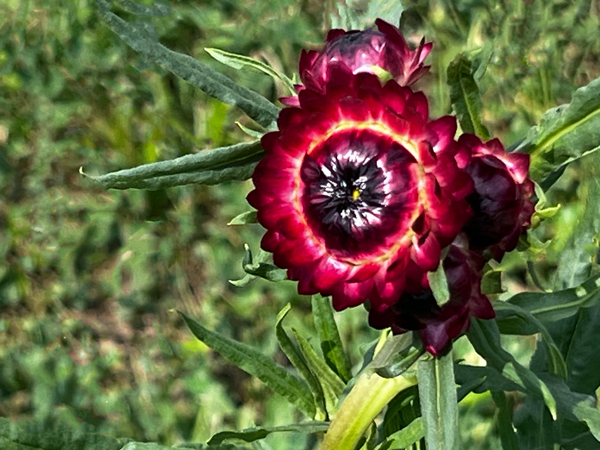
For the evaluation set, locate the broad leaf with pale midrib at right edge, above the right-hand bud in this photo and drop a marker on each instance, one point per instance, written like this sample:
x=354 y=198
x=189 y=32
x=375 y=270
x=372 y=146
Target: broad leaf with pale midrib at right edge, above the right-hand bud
x=564 y=134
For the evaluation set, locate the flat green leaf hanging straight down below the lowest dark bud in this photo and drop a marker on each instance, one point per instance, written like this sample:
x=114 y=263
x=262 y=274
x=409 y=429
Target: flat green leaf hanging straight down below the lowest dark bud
x=437 y=394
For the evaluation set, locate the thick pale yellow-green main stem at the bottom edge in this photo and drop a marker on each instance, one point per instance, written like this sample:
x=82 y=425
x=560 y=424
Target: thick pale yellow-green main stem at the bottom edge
x=368 y=397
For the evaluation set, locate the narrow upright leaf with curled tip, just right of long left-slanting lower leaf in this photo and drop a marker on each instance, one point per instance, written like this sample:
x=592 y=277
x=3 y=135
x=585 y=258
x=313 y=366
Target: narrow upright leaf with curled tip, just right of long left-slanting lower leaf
x=299 y=362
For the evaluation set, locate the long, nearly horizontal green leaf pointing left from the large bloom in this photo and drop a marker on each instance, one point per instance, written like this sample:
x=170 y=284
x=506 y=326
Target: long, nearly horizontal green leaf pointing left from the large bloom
x=235 y=162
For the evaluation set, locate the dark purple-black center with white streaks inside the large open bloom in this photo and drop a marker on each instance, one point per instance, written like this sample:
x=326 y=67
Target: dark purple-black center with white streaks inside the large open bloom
x=357 y=189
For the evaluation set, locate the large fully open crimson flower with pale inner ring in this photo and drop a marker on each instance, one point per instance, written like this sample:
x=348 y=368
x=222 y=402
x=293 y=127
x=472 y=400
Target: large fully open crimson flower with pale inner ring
x=358 y=189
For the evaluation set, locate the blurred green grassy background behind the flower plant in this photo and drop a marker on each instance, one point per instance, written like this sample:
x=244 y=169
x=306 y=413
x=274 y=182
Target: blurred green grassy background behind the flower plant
x=89 y=278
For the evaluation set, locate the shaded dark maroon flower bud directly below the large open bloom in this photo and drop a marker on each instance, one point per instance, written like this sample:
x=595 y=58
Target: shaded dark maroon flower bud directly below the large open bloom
x=438 y=325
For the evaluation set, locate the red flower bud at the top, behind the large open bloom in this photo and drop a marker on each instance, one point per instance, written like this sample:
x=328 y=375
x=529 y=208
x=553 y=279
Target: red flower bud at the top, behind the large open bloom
x=370 y=51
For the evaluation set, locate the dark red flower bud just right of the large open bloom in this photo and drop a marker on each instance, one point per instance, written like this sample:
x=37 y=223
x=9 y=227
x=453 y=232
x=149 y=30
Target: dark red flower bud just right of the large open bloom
x=500 y=199
